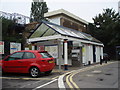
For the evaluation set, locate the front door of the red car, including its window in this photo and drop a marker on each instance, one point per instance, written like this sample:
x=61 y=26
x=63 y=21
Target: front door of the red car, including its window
x=13 y=62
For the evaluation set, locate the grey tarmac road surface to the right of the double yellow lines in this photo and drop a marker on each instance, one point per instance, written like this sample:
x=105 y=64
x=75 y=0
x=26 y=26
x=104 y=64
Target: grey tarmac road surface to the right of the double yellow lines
x=99 y=77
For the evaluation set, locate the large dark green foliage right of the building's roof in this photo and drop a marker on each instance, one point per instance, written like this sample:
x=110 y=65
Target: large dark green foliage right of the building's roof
x=106 y=27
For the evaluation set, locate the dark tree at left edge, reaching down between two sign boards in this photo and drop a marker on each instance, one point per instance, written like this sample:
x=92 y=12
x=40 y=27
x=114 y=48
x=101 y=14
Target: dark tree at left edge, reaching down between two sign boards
x=10 y=33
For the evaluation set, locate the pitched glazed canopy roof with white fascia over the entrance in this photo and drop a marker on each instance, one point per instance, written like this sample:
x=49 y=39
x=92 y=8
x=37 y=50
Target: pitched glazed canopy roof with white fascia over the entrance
x=49 y=31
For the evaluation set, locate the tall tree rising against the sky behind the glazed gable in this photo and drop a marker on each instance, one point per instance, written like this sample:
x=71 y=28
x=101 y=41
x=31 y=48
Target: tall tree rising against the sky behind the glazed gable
x=38 y=8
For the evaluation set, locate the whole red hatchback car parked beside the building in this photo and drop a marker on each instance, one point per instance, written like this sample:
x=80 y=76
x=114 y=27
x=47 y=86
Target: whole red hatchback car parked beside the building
x=29 y=61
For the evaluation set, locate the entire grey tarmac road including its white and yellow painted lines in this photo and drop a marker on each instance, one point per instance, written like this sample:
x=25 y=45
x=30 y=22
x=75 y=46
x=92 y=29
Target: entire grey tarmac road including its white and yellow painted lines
x=90 y=77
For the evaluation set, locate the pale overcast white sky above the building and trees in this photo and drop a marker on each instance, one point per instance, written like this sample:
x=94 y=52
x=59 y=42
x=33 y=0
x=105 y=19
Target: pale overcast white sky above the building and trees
x=85 y=9
